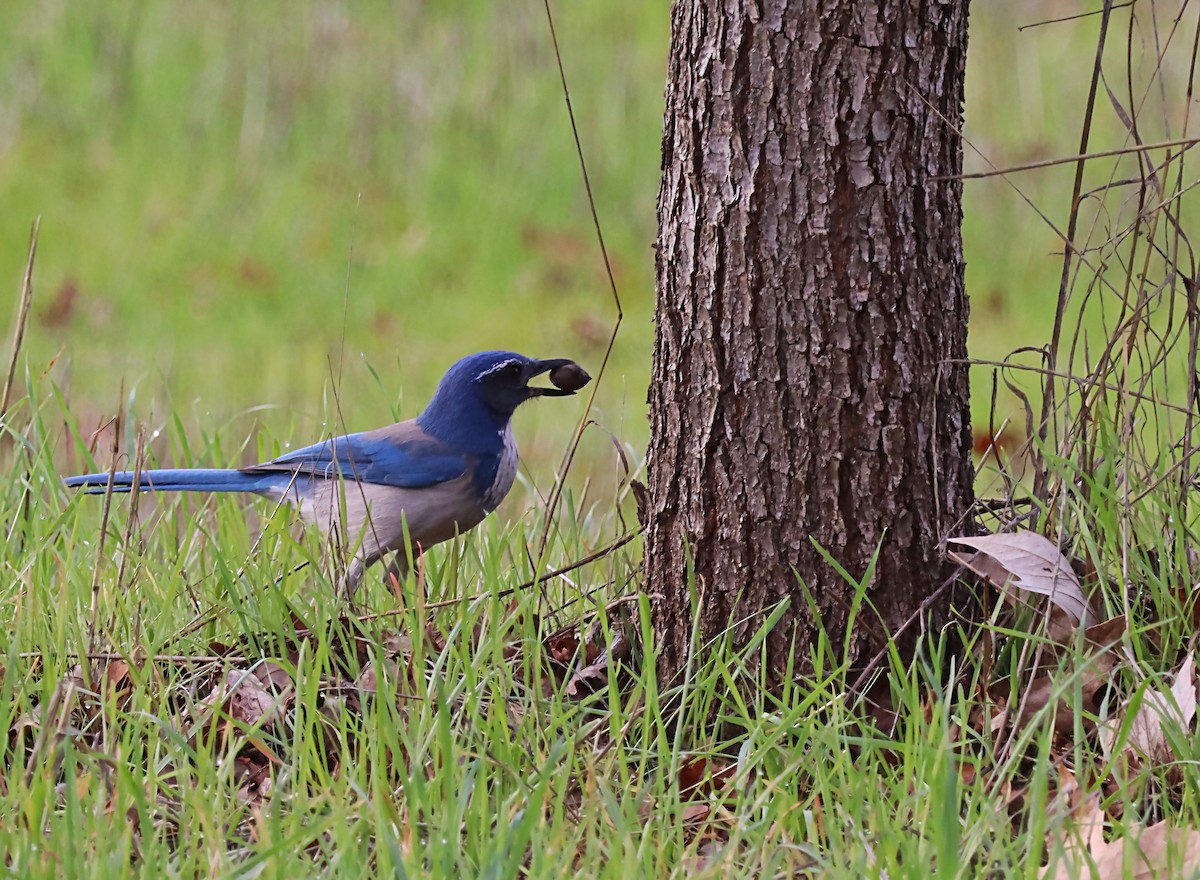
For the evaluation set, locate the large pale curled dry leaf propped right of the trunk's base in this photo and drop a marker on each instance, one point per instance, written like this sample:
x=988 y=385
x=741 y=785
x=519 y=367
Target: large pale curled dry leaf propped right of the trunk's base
x=1029 y=562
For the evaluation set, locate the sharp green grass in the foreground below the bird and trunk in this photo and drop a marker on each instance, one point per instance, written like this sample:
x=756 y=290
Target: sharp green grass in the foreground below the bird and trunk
x=466 y=755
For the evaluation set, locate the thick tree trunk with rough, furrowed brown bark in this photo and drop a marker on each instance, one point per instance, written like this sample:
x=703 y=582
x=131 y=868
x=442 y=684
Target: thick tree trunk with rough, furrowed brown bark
x=812 y=318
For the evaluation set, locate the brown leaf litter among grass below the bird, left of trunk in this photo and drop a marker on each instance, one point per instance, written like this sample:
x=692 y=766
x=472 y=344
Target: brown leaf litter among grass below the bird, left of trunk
x=242 y=707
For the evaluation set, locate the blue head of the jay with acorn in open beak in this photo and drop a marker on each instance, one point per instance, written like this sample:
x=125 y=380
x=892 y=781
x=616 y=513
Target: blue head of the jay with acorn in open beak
x=483 y=391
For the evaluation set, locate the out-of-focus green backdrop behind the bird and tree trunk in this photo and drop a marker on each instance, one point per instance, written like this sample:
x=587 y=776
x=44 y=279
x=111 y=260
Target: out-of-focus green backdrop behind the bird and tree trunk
x=249 y=206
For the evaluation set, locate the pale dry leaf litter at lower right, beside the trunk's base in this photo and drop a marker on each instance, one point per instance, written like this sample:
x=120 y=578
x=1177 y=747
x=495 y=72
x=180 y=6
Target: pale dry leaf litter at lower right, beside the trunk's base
x=1076 y=667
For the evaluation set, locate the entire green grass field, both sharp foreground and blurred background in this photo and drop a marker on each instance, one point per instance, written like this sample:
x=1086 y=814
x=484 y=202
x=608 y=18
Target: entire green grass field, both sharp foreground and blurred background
x=249 y=207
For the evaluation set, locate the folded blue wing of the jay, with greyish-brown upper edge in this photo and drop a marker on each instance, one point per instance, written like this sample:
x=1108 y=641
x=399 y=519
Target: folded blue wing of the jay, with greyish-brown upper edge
x=400 y=456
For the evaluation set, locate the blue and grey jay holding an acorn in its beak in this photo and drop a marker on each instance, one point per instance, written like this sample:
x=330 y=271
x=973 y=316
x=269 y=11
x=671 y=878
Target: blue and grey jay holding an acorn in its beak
x=437 y=476
